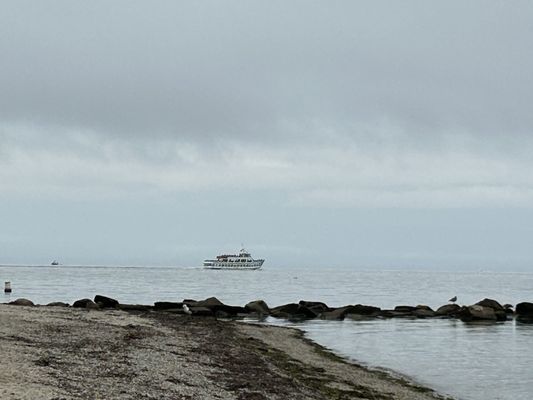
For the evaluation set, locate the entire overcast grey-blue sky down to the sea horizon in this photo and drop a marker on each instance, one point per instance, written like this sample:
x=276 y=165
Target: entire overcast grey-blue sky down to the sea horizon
x=372 y=134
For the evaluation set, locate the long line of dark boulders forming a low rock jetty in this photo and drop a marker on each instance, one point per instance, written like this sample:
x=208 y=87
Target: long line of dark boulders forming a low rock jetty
x=484 y=310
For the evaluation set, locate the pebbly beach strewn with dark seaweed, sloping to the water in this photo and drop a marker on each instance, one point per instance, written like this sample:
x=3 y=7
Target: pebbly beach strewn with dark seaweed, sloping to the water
x=61 y=353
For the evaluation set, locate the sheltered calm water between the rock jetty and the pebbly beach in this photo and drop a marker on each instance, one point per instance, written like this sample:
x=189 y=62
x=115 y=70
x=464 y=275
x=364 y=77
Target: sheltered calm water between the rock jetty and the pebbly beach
x=468 y=361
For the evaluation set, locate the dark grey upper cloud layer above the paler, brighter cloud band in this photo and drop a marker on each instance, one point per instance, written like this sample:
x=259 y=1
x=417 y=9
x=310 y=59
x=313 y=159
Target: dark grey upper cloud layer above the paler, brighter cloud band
x=255 y=70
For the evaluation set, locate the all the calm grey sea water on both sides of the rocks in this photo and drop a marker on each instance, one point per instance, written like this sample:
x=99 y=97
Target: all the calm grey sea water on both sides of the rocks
x=468 y=361
